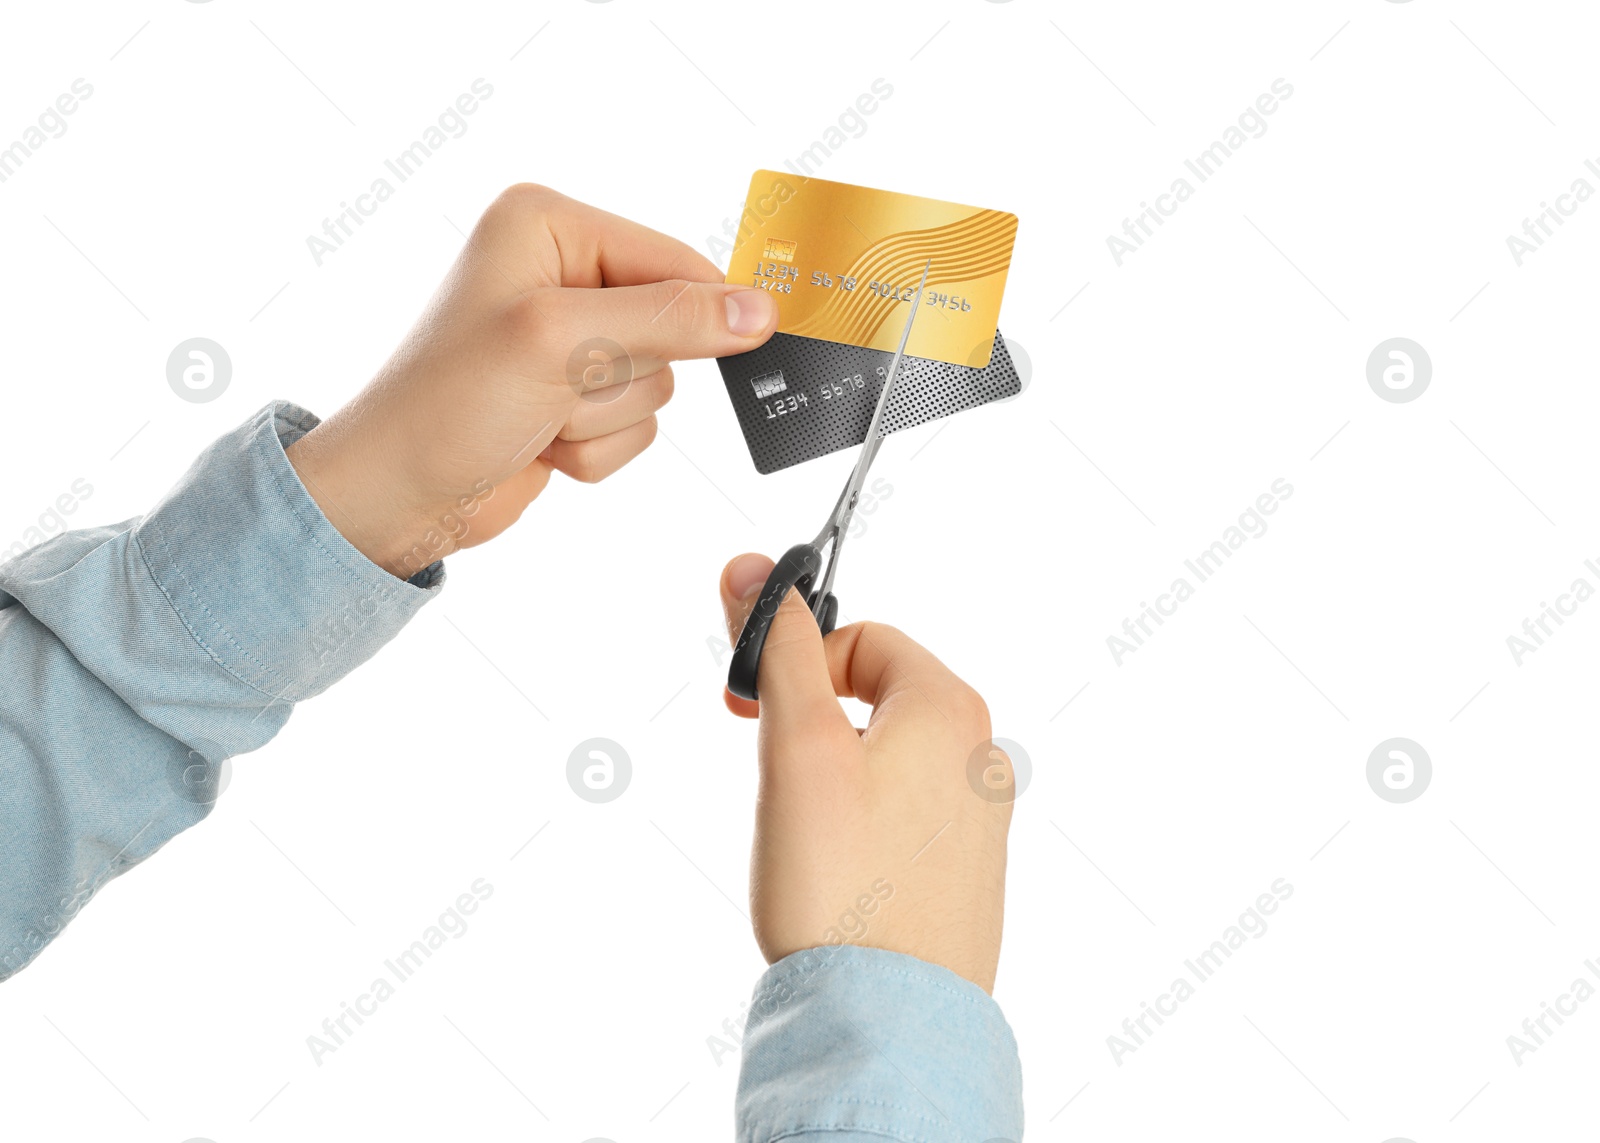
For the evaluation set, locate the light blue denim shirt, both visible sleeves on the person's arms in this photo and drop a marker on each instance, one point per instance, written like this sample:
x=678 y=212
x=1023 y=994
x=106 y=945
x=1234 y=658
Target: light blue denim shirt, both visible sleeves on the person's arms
x=137 y=657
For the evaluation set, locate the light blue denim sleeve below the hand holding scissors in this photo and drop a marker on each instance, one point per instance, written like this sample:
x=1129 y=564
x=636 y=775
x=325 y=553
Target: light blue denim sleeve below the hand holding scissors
x=863 y=1046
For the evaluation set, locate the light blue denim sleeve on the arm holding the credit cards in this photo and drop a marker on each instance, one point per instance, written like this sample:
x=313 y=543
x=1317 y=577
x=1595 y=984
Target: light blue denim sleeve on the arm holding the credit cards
x=137 y=659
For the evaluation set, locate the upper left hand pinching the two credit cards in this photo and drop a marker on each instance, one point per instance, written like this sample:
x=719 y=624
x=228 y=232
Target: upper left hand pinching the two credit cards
x=513 y=374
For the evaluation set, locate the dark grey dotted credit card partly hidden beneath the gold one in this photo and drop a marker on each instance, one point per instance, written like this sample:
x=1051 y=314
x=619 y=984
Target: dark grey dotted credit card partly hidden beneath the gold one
x=802 y=398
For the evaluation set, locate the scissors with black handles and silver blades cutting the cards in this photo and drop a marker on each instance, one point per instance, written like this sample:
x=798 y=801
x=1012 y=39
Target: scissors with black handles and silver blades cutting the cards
x=801 y=564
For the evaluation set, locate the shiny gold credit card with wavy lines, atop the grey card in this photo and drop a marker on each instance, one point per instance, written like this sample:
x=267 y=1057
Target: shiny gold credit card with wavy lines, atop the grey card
x=844 y=262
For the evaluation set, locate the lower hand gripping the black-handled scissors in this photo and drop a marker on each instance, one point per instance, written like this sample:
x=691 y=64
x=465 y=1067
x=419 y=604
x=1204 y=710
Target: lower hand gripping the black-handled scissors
x=871 y=836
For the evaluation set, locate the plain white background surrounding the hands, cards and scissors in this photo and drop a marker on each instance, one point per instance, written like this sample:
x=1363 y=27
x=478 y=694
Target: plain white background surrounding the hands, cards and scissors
x=1164 y=399
